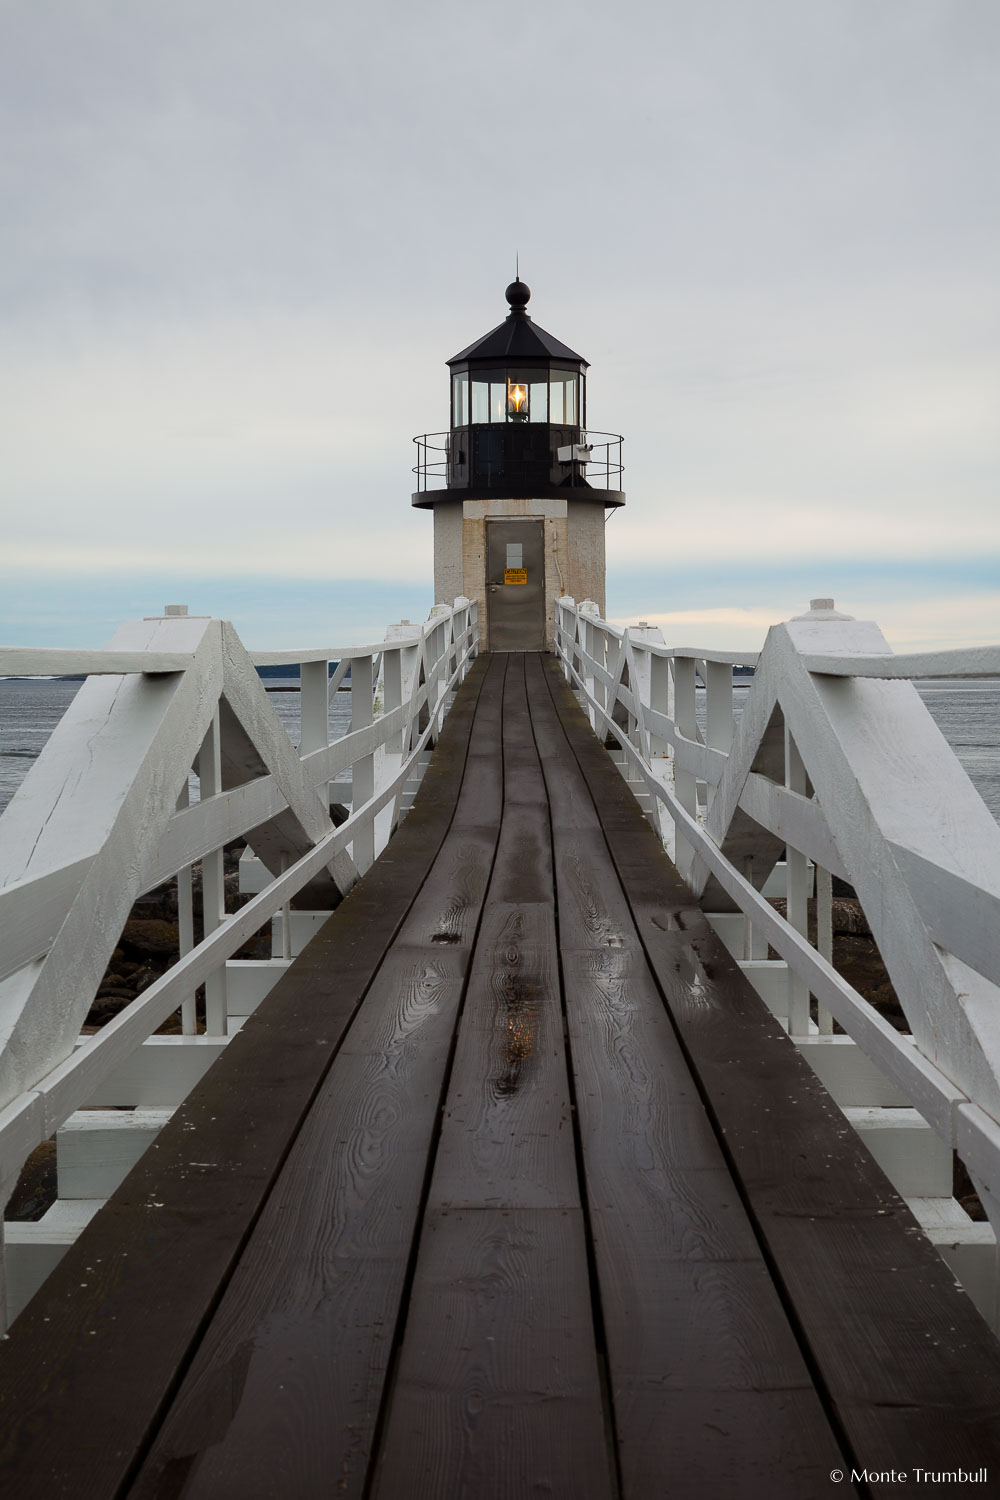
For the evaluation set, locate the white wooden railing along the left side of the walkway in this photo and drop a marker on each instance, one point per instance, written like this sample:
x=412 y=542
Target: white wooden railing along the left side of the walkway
x=106 y=815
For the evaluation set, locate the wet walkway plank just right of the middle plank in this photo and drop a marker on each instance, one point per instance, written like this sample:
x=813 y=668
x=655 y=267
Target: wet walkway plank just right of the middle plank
x=689 y=1303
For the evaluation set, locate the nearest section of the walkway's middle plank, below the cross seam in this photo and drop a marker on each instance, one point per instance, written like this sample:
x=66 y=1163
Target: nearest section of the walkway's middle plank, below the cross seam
x=497 y=1391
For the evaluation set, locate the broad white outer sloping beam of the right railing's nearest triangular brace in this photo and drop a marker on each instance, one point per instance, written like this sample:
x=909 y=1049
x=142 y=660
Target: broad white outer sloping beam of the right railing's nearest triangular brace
x=876 y=757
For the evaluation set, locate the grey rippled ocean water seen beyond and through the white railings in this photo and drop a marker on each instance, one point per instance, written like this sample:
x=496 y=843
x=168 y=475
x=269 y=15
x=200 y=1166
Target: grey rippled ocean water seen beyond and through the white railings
x=966 y=712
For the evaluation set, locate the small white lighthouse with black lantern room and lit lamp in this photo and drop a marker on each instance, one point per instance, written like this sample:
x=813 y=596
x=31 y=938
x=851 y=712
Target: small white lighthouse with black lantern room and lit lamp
x=519 y=485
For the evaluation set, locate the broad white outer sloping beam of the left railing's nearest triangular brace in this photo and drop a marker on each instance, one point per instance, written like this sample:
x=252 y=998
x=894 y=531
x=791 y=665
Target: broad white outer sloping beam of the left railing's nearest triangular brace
x=119 y=805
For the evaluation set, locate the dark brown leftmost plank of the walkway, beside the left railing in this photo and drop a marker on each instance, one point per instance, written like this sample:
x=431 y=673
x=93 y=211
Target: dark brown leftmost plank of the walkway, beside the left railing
x=91 y=1363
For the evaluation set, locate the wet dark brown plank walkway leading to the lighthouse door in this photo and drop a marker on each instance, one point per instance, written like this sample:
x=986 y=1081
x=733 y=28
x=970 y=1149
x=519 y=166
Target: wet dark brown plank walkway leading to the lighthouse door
x=510 y=1189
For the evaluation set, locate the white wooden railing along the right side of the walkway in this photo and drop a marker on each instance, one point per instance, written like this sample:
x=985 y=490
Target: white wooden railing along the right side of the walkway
x=834 y=769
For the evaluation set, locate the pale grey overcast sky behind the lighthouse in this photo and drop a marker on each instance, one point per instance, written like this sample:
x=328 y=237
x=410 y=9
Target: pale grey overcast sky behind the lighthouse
x=241 y=239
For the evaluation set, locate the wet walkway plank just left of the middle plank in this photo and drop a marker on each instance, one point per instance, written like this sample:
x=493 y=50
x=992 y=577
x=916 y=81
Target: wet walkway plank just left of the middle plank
x=313 y=1307
